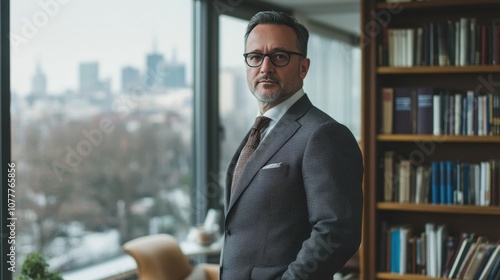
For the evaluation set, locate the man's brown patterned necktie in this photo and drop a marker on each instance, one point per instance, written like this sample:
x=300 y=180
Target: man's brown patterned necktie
x=252 y=143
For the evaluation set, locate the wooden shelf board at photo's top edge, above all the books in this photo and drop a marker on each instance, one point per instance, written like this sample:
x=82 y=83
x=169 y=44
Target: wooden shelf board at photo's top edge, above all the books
x=437 y=4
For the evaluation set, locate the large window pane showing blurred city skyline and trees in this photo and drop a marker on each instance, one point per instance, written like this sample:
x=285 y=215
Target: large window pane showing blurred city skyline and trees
x=101 y=125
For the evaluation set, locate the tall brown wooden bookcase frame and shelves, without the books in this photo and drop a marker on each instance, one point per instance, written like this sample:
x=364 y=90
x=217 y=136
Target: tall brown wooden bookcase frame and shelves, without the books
x=459 y=218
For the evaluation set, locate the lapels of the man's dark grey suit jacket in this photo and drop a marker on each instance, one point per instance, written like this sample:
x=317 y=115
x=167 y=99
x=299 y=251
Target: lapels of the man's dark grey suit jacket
x=281 y=133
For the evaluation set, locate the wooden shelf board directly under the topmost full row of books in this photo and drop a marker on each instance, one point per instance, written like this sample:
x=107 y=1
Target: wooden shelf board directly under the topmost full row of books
x=438 y=69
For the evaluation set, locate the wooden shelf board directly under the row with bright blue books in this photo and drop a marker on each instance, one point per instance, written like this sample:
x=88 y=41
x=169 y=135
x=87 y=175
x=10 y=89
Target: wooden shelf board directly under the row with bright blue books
x=447 y=209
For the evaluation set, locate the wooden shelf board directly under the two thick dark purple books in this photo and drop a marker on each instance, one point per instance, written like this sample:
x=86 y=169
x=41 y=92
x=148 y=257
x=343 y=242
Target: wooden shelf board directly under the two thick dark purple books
x=437 y=138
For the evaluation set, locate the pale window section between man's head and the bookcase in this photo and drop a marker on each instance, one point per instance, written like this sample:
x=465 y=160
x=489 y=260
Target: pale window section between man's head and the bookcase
x=334 y=80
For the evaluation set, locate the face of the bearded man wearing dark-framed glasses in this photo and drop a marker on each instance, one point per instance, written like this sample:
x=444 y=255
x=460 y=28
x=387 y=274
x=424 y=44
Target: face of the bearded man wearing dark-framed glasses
x=273 y=84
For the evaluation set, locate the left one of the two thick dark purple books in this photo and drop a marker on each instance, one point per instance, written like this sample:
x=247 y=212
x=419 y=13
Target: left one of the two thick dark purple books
x=402 y=110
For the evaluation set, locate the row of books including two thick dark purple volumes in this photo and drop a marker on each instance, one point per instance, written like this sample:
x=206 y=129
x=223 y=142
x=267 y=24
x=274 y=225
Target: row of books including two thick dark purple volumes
x=423 y=110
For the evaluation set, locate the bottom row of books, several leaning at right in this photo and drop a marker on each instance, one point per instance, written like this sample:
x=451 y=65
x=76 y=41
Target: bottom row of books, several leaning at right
x=435 y=253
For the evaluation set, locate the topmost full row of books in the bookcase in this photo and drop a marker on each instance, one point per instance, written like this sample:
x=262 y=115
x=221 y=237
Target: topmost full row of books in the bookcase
x=454 y=42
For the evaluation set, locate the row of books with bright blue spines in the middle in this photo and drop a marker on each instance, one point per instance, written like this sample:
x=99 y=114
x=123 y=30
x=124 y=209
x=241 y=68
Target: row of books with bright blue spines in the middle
x=441 y=182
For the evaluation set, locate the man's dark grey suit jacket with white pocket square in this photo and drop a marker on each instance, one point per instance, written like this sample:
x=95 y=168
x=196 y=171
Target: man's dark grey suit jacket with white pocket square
x=296 y=211
